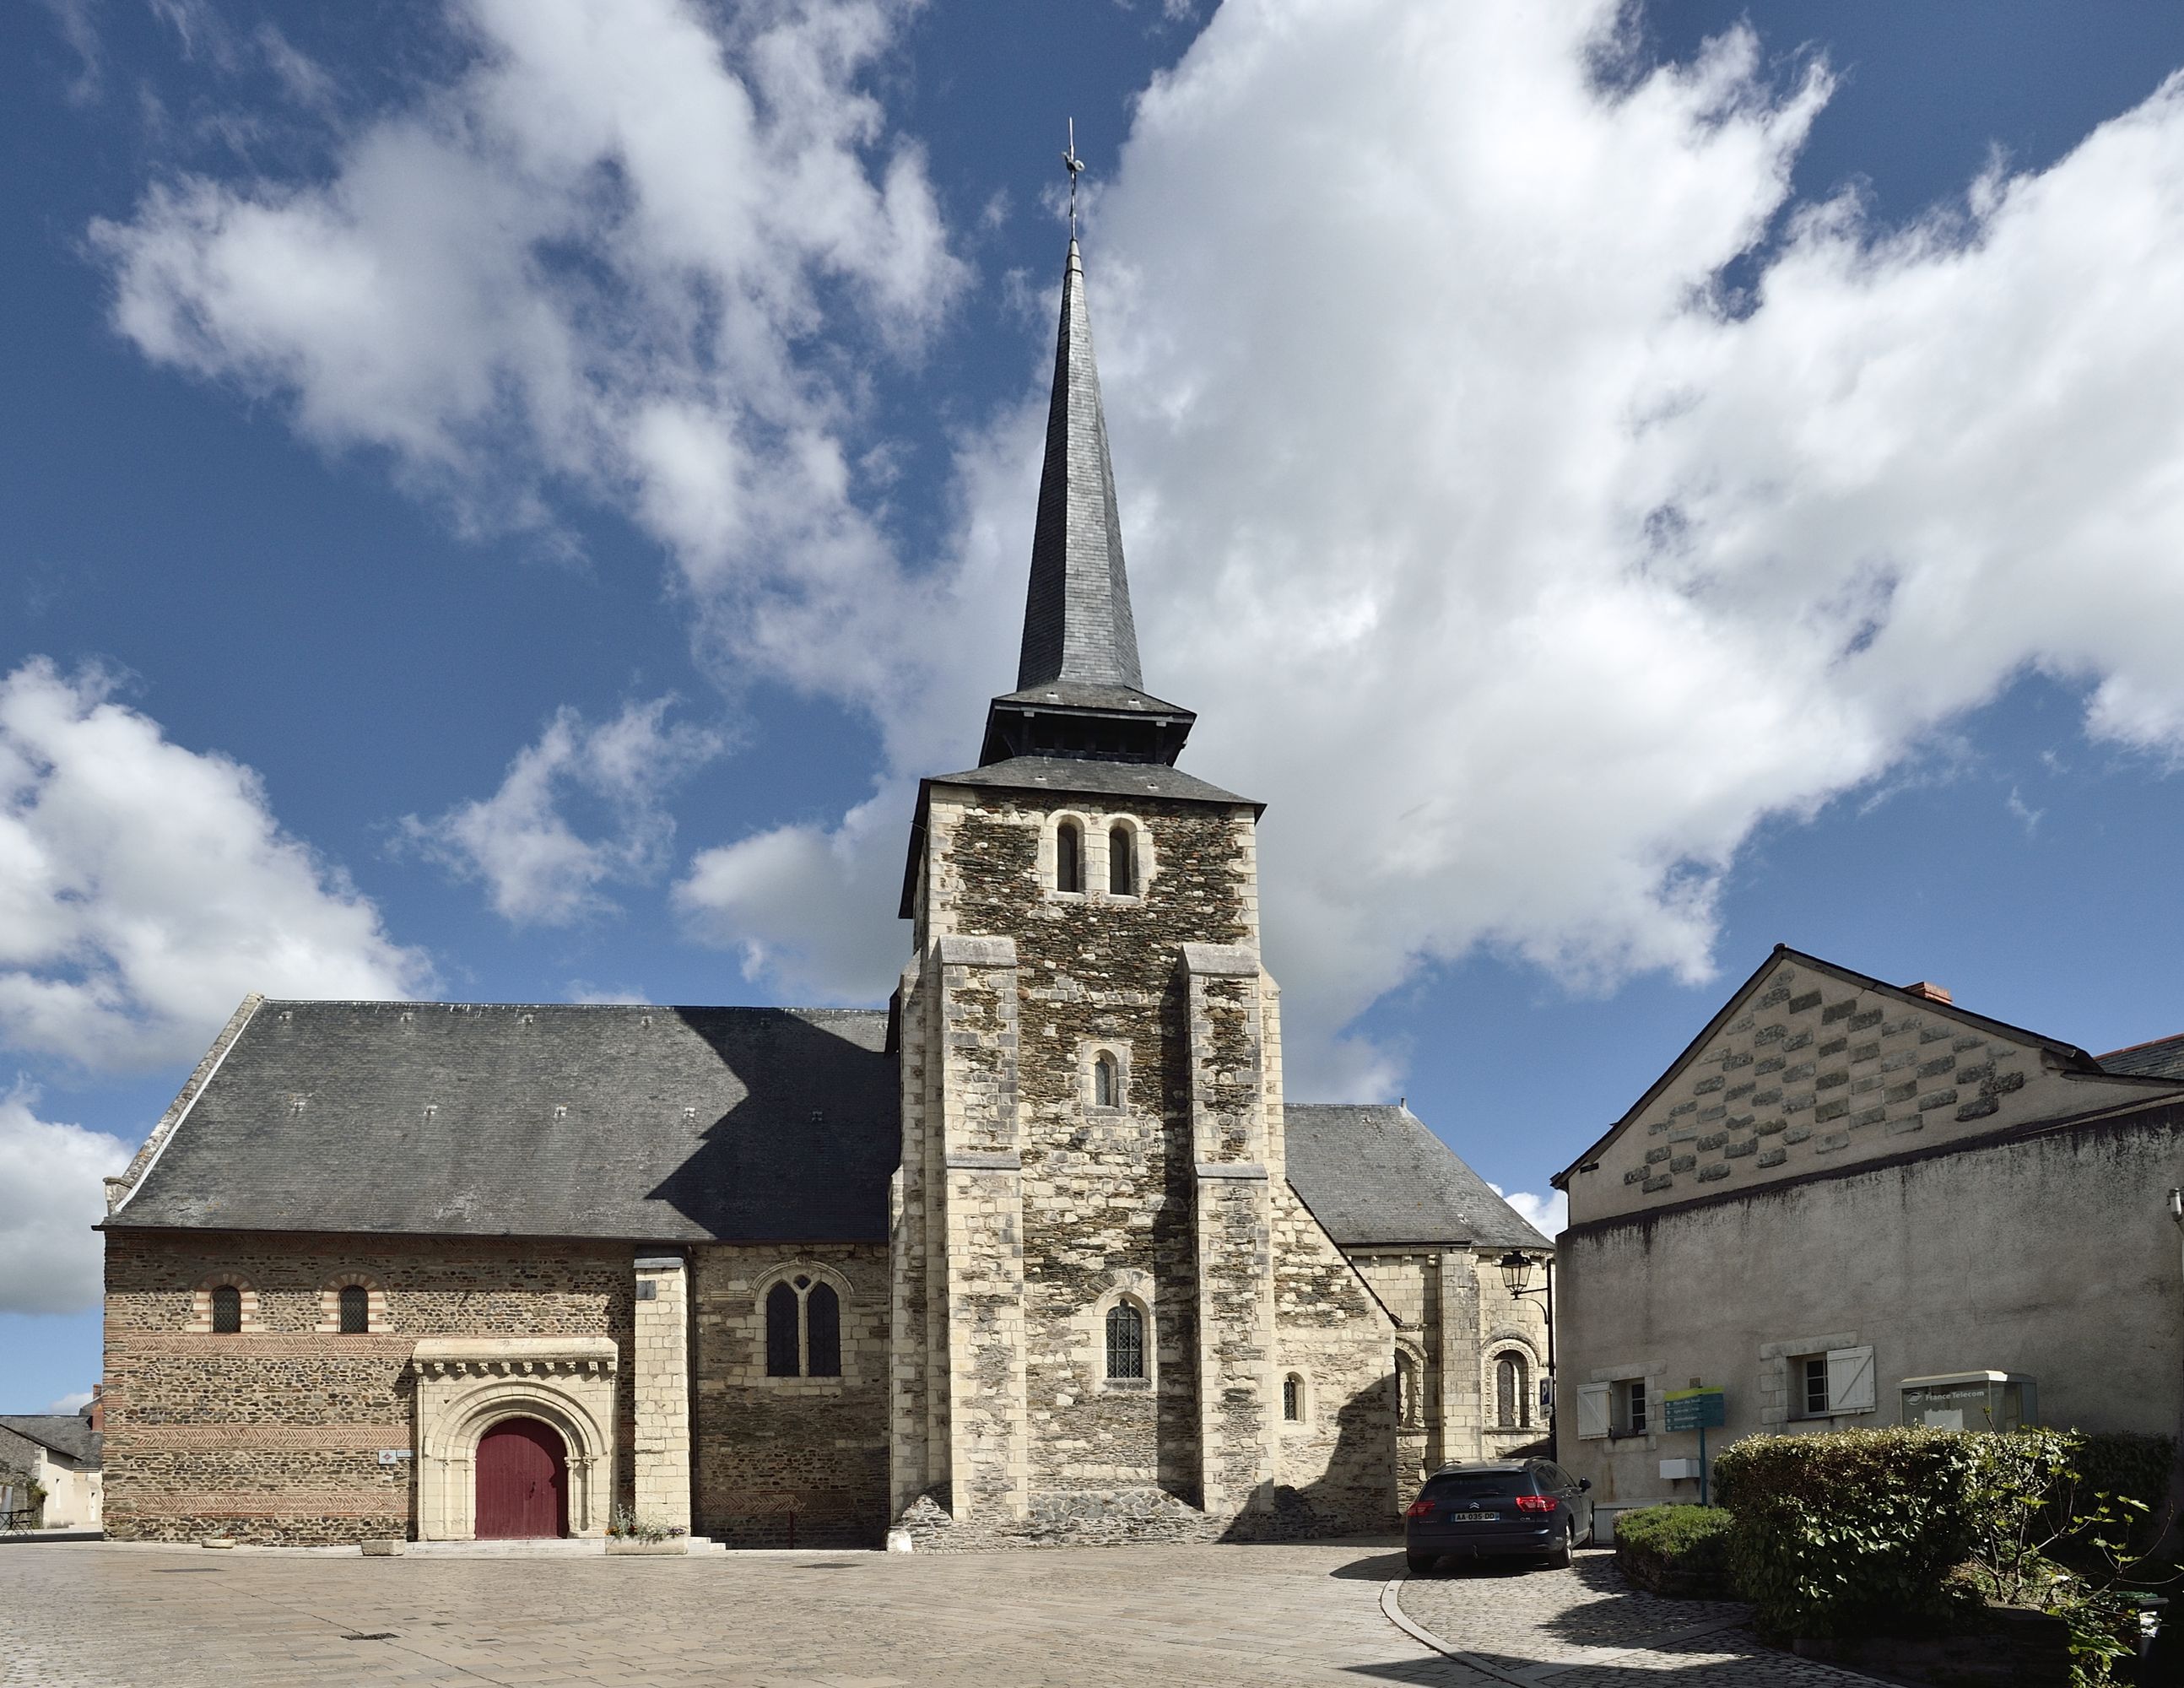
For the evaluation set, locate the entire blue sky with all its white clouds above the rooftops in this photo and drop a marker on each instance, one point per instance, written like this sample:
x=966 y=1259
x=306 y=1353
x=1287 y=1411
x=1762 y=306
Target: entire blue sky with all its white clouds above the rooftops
x=508 y=512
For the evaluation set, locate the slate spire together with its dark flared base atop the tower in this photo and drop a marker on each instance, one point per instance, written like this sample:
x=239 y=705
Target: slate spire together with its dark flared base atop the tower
x=1080 y=691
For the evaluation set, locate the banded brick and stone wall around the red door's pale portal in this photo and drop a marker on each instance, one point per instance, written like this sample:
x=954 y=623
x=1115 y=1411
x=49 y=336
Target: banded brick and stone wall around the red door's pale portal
x=276 y=1434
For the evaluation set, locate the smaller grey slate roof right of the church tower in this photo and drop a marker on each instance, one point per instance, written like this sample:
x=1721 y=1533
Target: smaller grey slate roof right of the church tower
x=1377 y=1176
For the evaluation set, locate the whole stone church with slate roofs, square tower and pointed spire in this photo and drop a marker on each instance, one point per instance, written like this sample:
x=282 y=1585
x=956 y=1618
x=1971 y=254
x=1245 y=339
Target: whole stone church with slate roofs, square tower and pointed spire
x=1036 y=1255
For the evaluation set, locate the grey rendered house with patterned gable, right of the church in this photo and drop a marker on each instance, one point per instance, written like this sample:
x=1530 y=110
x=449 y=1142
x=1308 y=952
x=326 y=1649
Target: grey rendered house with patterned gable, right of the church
x=1853 y=1202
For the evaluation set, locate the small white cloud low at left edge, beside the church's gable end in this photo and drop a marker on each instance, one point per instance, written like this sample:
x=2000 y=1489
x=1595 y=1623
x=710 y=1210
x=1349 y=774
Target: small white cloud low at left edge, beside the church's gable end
x=51 y=1196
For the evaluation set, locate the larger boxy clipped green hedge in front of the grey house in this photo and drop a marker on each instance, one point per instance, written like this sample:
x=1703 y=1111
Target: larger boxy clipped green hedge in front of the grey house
x=1847 y=1530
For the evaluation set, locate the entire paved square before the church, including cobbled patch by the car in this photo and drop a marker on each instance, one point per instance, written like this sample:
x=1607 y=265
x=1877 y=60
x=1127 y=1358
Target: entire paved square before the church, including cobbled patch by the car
x=1290 y=1617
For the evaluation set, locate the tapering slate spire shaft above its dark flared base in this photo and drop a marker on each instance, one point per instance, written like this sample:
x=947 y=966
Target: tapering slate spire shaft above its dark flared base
x=1078 y=621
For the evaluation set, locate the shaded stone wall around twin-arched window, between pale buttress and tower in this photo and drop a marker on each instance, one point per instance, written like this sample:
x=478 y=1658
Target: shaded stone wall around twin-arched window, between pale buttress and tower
x=783 y=1458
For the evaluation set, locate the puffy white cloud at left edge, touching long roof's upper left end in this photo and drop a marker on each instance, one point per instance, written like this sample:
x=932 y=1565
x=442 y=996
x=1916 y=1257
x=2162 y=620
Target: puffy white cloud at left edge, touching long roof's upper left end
x=145 y=888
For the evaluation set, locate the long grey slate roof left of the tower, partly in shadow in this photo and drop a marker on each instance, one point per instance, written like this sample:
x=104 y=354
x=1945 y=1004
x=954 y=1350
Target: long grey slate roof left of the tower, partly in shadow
x=650 y=1124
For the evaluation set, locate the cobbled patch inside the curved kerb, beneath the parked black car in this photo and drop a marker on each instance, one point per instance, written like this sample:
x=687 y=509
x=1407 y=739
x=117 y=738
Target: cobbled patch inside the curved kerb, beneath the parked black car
x=1587 y=1628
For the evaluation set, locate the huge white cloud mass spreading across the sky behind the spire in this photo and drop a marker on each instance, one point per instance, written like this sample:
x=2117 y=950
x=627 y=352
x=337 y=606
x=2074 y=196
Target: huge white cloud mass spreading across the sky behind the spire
x=1517 y=567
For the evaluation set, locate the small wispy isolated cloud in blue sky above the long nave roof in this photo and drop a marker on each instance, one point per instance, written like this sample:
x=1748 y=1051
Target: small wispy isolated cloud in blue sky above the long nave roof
x=536 y=866
